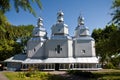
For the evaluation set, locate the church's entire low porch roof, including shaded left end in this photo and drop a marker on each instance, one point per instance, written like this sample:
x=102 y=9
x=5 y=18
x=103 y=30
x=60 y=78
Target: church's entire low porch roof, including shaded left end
x=23 y=59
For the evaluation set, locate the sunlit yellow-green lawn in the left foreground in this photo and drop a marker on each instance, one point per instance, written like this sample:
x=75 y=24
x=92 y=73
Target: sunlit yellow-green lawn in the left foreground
x=32 y=76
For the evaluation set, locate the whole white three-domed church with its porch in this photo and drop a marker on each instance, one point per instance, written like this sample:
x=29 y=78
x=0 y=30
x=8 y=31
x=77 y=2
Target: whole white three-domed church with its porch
x=60 y=51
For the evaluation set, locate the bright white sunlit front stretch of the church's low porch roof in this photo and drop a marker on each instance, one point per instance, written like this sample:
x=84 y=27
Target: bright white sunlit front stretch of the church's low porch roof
x=62 y=60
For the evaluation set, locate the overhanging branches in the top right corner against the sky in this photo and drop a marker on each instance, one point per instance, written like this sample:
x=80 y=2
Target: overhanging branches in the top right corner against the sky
x=116 y=13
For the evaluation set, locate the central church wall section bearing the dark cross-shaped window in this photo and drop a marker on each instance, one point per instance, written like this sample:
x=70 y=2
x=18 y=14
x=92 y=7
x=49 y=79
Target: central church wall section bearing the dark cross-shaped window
x=51 y=48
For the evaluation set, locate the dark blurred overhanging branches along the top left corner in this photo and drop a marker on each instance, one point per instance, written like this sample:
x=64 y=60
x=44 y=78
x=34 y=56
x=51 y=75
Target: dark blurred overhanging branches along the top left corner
x=23 y=4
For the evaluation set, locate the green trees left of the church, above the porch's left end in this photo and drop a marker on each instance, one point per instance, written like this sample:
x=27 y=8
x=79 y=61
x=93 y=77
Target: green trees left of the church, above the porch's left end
x=8 y=44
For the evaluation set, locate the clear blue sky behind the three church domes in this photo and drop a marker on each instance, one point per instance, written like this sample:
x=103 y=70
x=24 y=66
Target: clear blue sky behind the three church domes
x=95 y=12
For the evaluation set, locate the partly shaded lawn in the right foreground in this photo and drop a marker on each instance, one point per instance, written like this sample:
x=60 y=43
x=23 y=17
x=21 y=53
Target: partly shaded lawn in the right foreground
x=105 y=74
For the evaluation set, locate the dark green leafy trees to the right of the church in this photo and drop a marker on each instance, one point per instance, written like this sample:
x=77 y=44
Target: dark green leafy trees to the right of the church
x=107 y=43
